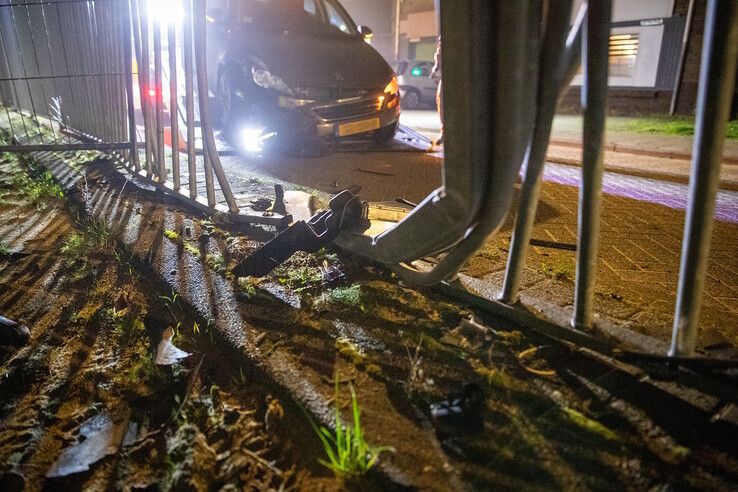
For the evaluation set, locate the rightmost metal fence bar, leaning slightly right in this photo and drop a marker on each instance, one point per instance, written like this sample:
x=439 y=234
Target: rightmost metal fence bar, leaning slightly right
x=717 y=83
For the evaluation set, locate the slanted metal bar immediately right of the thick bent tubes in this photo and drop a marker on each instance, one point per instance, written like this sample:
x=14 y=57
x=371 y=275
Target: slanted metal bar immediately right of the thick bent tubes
x=554 y=46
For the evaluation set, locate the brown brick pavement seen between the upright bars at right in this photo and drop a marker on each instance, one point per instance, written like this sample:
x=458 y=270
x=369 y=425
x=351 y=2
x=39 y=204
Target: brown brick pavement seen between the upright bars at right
x=638 y=267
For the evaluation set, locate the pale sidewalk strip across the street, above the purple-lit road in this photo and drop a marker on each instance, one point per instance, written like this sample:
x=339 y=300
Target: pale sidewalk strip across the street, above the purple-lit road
x=665 y=157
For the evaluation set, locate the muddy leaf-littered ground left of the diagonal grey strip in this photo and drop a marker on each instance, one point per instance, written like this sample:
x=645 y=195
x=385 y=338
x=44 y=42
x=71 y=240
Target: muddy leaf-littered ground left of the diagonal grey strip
x=96 y=321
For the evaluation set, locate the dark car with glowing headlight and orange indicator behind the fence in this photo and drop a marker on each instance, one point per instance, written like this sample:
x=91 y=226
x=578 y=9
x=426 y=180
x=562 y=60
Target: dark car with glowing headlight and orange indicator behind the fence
x=299 y=69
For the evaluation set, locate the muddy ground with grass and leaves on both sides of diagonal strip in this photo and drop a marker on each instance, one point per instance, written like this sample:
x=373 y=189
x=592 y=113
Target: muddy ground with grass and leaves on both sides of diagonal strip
x=85 y=406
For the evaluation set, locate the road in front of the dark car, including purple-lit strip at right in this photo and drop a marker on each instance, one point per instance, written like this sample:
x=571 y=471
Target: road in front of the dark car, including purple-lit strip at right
x=406 y=171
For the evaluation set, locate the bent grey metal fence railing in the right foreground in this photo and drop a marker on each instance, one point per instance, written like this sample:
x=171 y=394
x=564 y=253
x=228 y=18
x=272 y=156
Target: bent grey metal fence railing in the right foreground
x=498 y=121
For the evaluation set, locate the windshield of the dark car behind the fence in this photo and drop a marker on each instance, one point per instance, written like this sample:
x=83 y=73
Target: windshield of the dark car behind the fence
x=310 y=16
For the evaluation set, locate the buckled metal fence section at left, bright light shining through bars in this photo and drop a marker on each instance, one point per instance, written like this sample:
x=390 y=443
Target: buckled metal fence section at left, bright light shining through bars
x=126 y=77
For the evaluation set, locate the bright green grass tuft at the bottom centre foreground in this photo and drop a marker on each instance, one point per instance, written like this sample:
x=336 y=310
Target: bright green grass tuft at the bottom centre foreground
x=348 y=454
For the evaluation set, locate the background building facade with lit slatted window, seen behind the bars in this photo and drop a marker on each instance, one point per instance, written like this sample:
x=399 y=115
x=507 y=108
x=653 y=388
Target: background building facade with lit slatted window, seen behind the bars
x=645 y=48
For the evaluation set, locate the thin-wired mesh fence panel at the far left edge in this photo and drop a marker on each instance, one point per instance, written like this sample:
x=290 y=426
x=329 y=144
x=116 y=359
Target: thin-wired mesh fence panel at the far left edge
x=64 y=72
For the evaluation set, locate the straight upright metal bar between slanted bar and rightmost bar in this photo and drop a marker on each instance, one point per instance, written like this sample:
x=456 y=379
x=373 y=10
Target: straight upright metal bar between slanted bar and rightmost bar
x=595 y=47
